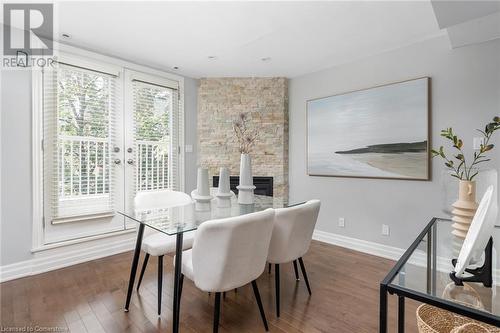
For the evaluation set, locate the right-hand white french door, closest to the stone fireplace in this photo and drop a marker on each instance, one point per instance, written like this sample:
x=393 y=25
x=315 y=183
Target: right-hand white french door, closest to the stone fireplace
x=152 y=127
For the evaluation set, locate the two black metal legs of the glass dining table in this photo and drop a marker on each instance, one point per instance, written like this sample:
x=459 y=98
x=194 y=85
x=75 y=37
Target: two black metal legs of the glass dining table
x=177 y=274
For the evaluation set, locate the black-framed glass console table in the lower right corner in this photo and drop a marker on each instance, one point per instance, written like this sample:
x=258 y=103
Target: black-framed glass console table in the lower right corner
x=422 y=274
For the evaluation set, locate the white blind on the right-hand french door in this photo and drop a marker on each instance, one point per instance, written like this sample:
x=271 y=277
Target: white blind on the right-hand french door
x=156 y=129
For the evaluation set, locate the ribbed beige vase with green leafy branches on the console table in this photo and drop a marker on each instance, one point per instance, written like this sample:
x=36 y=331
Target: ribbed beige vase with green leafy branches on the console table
x=465 y=207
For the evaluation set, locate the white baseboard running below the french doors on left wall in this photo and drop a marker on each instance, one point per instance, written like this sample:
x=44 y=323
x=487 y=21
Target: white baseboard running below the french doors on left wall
x=67 y=256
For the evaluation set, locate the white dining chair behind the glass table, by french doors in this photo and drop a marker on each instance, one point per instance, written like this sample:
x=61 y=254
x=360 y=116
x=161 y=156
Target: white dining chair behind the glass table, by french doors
x=157 y=243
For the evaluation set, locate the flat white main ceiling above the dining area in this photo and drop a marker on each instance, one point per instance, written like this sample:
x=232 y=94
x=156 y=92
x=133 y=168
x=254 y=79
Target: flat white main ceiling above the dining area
x=299 y=37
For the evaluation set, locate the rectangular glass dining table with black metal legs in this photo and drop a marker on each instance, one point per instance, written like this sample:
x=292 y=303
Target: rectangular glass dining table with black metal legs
x=179 y=219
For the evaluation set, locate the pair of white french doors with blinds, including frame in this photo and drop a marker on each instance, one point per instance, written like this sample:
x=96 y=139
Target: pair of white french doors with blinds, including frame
x=109 y=132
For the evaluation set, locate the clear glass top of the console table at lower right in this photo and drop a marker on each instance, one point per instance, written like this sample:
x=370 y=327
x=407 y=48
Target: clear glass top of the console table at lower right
x=426 y=271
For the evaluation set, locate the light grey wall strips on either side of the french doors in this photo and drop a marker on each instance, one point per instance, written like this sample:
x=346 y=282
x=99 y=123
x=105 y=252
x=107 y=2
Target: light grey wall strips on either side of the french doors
x=16 y=206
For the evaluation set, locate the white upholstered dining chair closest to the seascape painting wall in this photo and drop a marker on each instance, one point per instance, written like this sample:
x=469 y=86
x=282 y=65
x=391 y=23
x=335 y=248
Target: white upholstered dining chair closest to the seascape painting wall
x=292 y=235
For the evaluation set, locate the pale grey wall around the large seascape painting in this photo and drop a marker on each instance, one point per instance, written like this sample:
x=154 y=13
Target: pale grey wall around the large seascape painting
x=465 y=95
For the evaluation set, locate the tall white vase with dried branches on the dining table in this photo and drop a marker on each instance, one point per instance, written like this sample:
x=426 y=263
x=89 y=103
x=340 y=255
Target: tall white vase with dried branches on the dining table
x=246 y=134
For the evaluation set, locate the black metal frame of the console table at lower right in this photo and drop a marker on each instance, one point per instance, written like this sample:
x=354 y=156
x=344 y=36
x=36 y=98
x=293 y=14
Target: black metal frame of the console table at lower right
x=387 y=288
